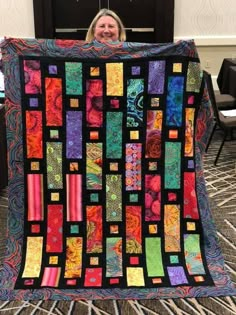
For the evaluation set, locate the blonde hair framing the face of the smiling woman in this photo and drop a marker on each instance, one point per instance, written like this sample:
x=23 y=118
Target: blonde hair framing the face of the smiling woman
x=106 y=12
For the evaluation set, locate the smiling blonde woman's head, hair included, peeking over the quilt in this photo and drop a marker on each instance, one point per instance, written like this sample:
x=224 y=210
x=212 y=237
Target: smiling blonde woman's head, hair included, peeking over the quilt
x=106 y=26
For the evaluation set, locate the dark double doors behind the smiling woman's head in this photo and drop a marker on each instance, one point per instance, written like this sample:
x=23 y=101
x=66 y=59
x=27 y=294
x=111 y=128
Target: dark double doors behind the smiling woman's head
x=145 y=21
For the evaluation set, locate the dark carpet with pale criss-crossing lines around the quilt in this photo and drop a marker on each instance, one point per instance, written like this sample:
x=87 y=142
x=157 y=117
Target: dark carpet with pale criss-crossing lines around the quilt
x=221 y=185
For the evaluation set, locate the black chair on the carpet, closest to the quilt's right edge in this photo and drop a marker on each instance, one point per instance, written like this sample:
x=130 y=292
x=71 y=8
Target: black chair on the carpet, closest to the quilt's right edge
x=223 y=122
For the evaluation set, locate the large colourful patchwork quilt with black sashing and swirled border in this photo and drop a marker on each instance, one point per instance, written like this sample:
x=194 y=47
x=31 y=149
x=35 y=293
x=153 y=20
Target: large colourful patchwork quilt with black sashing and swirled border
x=107 y=198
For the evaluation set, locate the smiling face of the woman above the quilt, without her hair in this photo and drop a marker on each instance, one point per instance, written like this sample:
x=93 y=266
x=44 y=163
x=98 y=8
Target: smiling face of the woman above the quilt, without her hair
x=106 y=29
